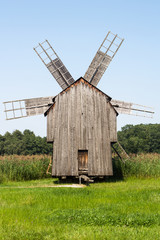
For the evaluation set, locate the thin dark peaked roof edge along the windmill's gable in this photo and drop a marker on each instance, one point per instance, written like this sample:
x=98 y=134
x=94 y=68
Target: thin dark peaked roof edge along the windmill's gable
x=81 y=79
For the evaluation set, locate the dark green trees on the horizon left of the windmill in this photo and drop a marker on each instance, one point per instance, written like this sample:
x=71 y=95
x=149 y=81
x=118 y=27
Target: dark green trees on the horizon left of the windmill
x=25 y=143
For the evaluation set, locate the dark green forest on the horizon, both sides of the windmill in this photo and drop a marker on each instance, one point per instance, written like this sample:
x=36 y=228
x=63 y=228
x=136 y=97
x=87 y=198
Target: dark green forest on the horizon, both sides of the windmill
x=142 y=138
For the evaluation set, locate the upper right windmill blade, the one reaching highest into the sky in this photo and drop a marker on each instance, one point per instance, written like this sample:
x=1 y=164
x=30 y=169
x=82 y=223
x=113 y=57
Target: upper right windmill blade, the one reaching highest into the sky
x=103 y=57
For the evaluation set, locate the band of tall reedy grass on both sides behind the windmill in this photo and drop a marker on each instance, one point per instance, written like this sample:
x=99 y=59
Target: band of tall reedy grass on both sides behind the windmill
x=19 y=168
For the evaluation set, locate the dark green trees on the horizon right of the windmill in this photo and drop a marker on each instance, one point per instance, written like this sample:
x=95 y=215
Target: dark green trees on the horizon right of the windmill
x=141 y=138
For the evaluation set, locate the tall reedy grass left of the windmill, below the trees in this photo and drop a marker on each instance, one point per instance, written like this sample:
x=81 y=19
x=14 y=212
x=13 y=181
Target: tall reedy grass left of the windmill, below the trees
x=19 y=168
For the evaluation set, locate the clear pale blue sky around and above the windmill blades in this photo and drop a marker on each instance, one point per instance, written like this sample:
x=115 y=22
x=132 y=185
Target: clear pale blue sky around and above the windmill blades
x=75 y=30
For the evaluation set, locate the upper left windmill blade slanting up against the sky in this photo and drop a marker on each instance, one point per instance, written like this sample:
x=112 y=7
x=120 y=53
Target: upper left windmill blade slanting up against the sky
x=56 y=67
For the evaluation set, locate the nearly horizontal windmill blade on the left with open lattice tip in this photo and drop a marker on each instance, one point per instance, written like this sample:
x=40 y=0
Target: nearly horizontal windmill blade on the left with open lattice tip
x=26 y=107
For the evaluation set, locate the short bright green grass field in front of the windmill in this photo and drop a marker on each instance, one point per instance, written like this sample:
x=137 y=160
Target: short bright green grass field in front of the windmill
x=127 y=209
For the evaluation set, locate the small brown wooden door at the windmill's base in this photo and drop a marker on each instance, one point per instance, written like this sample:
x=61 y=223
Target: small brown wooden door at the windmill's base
x=83 y=161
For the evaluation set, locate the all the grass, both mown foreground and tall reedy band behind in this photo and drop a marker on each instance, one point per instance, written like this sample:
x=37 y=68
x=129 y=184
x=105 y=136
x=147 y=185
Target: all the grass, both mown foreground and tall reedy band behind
x=125 y=207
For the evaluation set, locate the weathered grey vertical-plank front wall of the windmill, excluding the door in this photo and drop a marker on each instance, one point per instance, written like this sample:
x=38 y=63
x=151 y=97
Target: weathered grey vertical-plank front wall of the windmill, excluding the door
x=81 y=120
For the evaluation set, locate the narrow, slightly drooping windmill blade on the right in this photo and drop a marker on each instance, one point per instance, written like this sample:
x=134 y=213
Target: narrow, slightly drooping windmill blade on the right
x=132 y=109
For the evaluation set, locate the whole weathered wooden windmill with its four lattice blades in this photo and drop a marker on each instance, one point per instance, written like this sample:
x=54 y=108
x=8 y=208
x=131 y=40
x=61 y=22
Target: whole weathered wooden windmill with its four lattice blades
x=81 y=120
